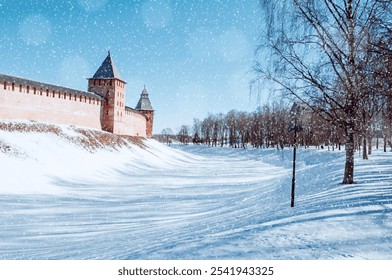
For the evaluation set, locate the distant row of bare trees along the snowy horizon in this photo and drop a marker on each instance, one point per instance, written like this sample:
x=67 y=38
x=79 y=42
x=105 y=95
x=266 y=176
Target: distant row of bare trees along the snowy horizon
x=268 y=127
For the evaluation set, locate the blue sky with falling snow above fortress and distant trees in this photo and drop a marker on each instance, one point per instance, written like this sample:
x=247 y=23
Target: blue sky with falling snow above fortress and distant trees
x=194 y=57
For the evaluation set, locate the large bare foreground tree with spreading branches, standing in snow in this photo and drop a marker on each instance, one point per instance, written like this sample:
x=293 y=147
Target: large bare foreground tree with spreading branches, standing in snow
x=316 y=47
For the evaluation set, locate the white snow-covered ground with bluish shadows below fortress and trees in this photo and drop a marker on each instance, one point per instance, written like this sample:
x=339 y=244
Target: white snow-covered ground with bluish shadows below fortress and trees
x=60 y=201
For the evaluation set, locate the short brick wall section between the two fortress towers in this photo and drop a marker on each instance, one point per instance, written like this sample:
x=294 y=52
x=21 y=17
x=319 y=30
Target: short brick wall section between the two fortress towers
x=133 y=124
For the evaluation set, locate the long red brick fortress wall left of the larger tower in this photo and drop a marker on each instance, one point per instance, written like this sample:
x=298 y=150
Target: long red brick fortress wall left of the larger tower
x=50 y=106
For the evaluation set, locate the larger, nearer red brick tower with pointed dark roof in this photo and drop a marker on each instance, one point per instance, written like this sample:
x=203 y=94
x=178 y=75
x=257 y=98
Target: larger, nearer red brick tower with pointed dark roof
x=108 y=83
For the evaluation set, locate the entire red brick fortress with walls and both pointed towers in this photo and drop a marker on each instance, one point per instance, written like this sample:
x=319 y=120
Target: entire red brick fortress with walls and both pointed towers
x=101 y=107
